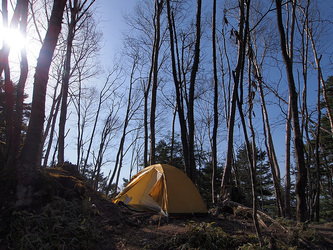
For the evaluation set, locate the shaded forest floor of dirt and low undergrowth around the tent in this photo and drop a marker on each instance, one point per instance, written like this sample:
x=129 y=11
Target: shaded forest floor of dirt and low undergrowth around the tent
x=92 y=221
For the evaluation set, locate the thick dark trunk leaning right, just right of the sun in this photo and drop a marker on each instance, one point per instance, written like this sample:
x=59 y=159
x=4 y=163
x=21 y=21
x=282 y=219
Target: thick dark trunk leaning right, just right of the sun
x=28 y=160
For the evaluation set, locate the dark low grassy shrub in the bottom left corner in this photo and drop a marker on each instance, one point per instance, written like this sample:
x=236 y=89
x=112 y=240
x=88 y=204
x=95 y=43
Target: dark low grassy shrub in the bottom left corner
x=59 y=225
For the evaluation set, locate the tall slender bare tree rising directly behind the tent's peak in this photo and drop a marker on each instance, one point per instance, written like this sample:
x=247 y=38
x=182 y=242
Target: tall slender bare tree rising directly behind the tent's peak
x=148 y=35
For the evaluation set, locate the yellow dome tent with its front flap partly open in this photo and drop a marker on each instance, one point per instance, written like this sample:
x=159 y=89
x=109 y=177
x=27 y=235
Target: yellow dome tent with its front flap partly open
x=162 y=188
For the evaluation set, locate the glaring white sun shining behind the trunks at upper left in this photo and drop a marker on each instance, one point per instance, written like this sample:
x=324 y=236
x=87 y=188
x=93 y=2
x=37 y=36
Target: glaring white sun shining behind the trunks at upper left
x=13 y=37
